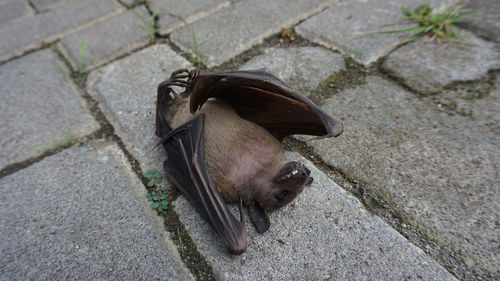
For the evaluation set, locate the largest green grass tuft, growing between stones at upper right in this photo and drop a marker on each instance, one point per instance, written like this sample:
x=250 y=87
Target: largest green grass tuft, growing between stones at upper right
x=438 y=24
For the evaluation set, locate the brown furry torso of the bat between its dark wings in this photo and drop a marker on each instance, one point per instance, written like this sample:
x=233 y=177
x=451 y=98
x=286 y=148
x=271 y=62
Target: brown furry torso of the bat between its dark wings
x=243 y=158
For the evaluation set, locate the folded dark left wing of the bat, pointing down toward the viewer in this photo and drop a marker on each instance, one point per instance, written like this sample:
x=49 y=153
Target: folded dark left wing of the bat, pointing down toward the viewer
x=187 y=169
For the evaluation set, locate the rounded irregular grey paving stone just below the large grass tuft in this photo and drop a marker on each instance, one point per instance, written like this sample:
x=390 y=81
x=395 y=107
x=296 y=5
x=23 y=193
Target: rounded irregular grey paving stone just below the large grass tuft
x=427 y=66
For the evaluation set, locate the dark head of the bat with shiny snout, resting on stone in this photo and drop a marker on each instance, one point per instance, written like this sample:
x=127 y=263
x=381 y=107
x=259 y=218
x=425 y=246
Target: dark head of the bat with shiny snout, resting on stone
x=284 y=186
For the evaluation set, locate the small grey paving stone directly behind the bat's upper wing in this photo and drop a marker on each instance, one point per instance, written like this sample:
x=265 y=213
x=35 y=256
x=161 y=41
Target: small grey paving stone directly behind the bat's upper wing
x=301 y=67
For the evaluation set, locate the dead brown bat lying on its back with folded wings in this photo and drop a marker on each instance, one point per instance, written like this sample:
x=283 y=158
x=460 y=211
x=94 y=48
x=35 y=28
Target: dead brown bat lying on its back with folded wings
x=229 y=150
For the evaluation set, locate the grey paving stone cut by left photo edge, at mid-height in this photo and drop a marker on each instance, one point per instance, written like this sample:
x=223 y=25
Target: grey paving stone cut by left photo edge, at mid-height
x=40 y=107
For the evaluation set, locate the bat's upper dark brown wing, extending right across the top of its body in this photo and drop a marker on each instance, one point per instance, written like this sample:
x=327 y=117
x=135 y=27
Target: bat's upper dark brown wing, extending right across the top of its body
x=262 y=98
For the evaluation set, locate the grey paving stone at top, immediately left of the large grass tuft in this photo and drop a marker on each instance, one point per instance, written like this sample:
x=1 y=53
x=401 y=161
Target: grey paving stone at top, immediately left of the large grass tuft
x=345 y=27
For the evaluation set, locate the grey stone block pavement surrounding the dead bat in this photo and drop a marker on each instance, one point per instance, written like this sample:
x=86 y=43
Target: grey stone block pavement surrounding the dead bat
x=410 y=191
